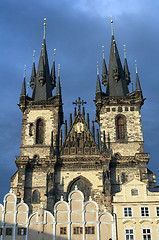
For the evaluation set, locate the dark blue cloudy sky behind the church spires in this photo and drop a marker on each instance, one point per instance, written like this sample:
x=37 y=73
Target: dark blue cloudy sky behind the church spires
x=77 y=29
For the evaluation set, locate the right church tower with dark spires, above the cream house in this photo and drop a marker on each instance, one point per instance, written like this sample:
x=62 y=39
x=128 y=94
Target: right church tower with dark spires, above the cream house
x=119 y=117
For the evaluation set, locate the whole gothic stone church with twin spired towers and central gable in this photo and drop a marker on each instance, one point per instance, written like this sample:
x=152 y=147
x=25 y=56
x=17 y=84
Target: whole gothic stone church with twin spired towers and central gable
x=98 y=164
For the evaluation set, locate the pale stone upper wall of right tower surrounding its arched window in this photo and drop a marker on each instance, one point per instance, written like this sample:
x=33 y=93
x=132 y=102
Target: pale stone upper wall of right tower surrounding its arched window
x=133 y=142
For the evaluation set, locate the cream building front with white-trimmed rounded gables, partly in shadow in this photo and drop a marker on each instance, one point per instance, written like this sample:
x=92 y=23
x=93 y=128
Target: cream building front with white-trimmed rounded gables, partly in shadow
x=73 y=220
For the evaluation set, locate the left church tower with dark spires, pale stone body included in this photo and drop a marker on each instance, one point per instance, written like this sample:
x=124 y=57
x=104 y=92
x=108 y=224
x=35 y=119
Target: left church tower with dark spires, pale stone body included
x=42 y=117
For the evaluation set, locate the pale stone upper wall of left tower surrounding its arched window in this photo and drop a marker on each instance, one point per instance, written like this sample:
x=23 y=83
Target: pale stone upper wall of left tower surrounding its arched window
x=28 y=139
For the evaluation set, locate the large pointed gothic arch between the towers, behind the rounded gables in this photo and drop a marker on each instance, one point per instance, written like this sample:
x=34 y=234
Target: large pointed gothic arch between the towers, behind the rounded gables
x=83 y=184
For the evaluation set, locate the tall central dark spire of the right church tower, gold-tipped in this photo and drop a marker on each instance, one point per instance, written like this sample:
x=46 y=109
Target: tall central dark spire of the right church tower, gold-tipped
x=117 y=85
